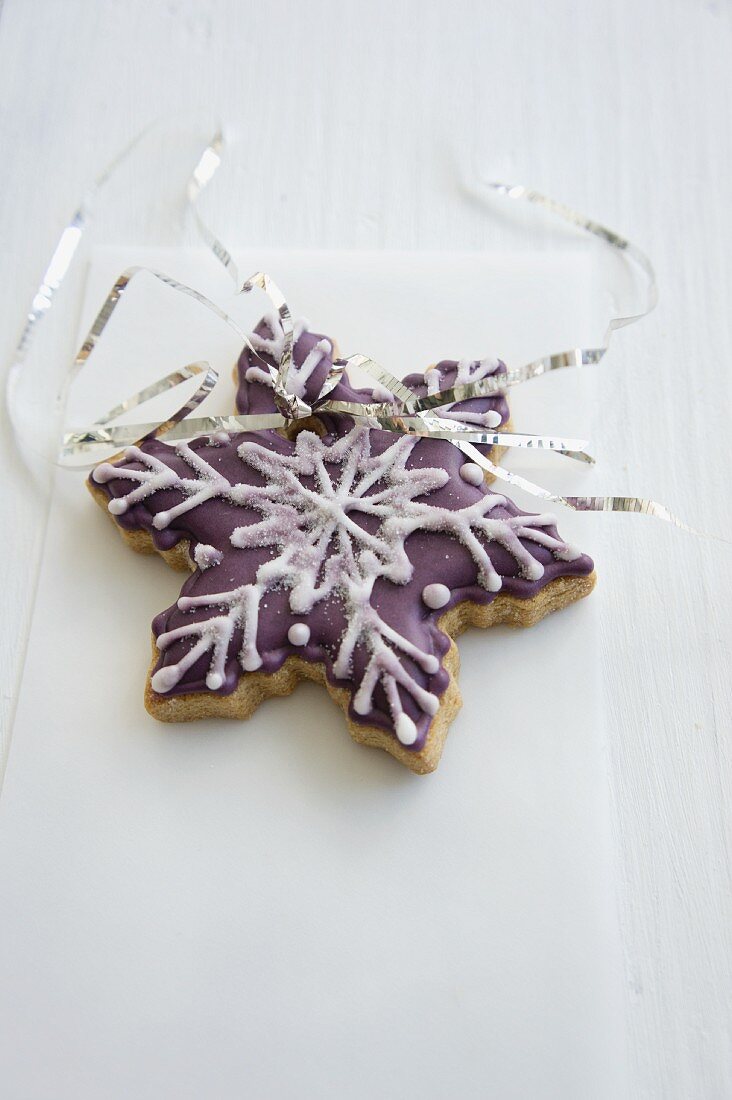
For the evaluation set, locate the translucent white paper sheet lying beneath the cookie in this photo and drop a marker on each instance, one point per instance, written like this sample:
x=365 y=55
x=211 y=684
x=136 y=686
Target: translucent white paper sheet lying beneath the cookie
x=200 y=897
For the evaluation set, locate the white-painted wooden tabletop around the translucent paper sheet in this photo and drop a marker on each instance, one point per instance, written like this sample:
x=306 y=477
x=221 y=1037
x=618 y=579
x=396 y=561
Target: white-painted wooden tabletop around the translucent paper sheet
x=358 y=118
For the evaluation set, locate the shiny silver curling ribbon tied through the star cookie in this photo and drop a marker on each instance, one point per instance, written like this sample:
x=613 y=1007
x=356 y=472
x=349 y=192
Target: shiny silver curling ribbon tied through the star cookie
x=407 y=413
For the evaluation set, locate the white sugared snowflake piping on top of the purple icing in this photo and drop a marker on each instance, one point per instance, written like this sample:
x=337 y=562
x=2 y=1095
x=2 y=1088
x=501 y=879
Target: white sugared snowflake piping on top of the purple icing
x=336 y=516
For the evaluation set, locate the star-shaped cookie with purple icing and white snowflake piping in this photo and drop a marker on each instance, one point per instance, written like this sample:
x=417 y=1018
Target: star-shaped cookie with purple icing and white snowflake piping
x=353 y=558
